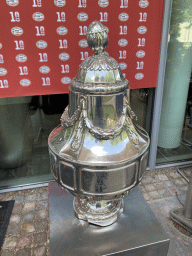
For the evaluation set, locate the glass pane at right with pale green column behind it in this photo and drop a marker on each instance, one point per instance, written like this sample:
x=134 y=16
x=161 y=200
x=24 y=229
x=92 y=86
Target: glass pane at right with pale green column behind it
x=174 y=134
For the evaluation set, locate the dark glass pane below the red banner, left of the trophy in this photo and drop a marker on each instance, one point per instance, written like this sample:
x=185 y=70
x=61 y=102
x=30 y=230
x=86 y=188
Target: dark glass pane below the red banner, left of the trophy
x=25 y=125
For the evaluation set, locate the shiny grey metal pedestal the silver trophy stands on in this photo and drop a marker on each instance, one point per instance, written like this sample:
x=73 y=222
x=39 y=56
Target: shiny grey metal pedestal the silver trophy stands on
x=135 y=233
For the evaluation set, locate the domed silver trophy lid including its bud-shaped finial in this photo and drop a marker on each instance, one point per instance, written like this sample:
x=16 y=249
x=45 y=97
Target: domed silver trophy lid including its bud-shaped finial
x=100 y=73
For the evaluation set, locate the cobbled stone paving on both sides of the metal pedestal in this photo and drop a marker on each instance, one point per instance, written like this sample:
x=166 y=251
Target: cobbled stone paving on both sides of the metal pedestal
x=28 y=230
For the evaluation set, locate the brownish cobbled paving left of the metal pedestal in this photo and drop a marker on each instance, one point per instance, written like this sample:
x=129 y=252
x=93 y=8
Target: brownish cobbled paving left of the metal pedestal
x=28 y=230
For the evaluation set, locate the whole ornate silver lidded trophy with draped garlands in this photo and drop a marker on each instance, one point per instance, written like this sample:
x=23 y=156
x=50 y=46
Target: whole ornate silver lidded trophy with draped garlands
x=97 y=153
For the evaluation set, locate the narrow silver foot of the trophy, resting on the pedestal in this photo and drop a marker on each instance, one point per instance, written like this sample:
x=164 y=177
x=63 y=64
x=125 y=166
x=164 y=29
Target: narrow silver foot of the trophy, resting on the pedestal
x=102 y=213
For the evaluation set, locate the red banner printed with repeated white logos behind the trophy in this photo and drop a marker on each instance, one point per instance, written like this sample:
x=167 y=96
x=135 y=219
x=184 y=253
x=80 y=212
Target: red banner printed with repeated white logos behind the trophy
x=43 y=42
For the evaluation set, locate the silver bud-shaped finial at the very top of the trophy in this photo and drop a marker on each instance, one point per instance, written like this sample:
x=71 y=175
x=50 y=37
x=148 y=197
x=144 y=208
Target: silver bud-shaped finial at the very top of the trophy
x=97 y=37
